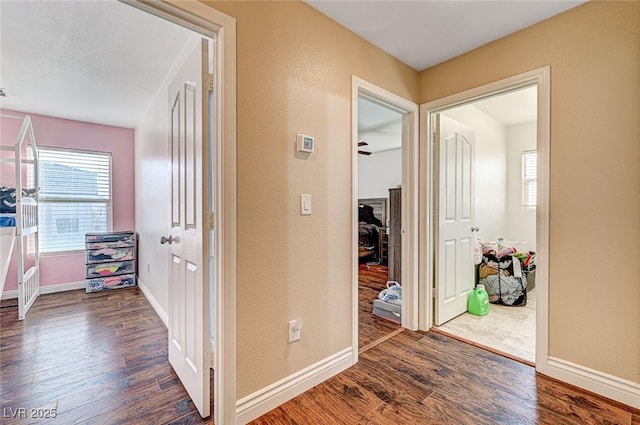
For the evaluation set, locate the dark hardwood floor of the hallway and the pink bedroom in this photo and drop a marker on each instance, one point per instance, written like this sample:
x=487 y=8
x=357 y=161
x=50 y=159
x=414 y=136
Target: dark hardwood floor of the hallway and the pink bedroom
x=101 y=359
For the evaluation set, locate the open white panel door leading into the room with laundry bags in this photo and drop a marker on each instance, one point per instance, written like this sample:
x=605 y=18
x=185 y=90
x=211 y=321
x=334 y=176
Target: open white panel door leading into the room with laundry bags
x=454 y=254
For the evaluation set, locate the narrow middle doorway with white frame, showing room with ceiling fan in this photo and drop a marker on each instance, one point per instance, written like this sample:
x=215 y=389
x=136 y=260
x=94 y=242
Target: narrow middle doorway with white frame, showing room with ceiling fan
x=384 y=132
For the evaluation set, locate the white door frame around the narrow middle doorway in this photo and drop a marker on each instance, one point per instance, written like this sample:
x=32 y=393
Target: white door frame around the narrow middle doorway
x=409 y=218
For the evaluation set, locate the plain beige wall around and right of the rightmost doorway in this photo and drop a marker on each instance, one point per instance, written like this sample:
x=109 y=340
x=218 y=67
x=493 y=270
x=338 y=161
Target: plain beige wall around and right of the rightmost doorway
x=594 y=282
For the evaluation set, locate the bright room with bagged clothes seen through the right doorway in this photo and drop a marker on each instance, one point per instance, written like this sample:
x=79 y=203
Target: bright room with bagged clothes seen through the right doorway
x=502 y=130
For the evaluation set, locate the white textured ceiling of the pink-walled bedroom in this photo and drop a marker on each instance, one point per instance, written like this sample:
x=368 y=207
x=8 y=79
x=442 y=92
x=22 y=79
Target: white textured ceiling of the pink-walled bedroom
x=93 y=61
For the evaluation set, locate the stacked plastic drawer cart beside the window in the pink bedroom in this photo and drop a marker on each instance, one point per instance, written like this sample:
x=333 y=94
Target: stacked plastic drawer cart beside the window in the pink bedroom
x=110 y=259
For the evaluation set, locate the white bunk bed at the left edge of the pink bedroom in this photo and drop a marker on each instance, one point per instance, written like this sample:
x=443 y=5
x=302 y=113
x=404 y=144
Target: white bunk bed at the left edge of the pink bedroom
x=19 y=213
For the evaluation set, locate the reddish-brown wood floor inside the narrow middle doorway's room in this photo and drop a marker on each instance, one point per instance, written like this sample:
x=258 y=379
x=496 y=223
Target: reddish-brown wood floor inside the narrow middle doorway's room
x=371 y=280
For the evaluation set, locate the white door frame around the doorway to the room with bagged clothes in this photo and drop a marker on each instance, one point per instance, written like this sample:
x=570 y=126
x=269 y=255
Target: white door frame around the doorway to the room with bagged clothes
x=542 y=78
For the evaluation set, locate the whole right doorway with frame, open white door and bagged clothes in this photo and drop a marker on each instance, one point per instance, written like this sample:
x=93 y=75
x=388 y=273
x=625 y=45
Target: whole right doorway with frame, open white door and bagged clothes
x=453 y=268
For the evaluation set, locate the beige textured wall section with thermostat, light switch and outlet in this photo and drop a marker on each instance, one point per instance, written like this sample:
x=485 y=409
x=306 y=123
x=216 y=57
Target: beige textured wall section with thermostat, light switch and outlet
x=294 y=73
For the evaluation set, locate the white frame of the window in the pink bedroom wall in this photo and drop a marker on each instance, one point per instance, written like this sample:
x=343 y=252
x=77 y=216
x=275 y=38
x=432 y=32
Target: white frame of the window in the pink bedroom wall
x=42 y=199
